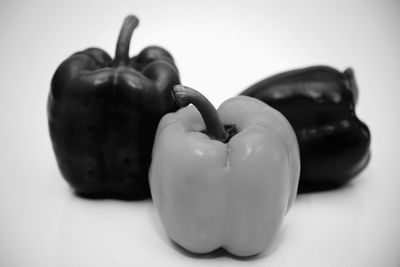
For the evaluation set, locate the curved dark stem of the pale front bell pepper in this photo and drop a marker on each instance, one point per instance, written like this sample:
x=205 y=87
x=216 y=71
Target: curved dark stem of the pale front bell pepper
x=184 y=96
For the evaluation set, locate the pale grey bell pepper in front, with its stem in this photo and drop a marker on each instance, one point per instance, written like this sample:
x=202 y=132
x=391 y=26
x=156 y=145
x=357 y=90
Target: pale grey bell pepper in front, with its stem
x=223 y=178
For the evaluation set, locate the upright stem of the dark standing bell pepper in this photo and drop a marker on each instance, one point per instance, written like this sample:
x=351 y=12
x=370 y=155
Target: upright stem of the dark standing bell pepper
x=124 y=40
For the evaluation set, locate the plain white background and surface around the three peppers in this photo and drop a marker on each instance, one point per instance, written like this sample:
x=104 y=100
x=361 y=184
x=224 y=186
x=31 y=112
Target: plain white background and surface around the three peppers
x=220 y=49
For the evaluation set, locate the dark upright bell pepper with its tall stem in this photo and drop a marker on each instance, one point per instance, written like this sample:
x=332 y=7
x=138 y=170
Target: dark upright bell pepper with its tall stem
x=103 y=114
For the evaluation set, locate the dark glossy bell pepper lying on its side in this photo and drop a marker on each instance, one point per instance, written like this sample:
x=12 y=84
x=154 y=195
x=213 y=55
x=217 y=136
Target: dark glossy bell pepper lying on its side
x=319 y=102
